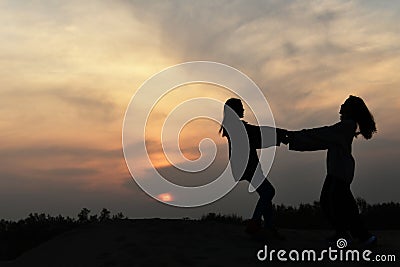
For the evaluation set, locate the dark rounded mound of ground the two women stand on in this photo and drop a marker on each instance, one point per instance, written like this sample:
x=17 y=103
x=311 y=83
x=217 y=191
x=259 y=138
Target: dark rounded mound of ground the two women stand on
x=162 y=242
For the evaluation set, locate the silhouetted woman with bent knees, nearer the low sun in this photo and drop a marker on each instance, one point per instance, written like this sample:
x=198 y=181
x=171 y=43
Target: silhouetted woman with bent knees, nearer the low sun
x=238 y=132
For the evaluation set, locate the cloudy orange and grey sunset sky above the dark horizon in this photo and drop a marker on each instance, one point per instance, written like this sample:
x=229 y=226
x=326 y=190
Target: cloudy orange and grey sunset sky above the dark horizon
x=69 y=69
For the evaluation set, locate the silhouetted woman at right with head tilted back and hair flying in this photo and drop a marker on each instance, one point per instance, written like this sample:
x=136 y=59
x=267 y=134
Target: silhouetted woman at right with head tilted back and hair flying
x=337 y=201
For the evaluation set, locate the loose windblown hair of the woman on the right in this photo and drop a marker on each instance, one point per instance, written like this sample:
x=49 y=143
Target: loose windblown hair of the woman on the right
x=359 y=112
